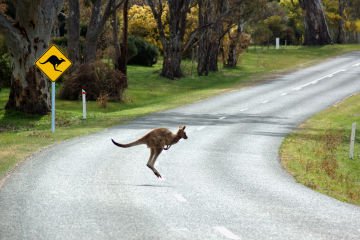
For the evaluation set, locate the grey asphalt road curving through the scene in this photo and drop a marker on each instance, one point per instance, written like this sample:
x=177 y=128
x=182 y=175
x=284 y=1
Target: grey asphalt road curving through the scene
x=224 y=182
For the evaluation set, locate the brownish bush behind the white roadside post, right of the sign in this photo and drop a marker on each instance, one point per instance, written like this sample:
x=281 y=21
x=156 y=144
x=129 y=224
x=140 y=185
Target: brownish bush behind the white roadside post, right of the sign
x=97 y=79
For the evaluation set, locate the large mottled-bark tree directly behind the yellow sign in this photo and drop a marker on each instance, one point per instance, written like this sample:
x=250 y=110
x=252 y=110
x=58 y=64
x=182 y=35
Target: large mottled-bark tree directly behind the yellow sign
x=27 y=35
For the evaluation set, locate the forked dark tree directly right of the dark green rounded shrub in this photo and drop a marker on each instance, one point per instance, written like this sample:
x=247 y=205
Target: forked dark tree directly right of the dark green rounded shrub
x=173 y=43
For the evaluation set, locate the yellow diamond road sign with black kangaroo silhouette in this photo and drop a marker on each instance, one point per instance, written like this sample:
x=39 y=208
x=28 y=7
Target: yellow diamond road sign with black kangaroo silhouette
x=53 y=63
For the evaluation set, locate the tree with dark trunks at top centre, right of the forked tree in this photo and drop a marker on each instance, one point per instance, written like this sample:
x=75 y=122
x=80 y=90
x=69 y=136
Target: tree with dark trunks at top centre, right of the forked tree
x=217 y=19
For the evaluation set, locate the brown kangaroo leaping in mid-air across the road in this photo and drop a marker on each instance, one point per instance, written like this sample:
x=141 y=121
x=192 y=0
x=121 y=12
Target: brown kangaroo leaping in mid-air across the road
x=157 y=140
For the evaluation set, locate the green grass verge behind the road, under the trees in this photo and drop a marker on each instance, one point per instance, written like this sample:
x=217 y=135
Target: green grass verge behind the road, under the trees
x=21 y=134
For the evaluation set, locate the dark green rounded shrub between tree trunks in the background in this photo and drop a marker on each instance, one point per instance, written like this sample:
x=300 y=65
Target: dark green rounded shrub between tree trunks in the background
x=145 y=54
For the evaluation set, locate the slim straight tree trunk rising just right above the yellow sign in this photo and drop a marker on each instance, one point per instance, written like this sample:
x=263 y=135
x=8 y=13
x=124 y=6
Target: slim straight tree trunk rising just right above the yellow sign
x=73 y=45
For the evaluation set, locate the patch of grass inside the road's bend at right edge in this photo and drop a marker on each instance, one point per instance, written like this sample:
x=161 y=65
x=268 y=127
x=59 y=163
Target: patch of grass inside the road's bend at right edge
x=317 y=154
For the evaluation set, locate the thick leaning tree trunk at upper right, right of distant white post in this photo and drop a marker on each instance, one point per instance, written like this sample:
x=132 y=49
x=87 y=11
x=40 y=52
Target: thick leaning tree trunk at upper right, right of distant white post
x=316 y=28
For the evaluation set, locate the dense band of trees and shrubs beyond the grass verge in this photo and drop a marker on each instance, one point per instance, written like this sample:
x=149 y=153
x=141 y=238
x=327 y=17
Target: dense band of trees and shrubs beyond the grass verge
x=102 y=37
